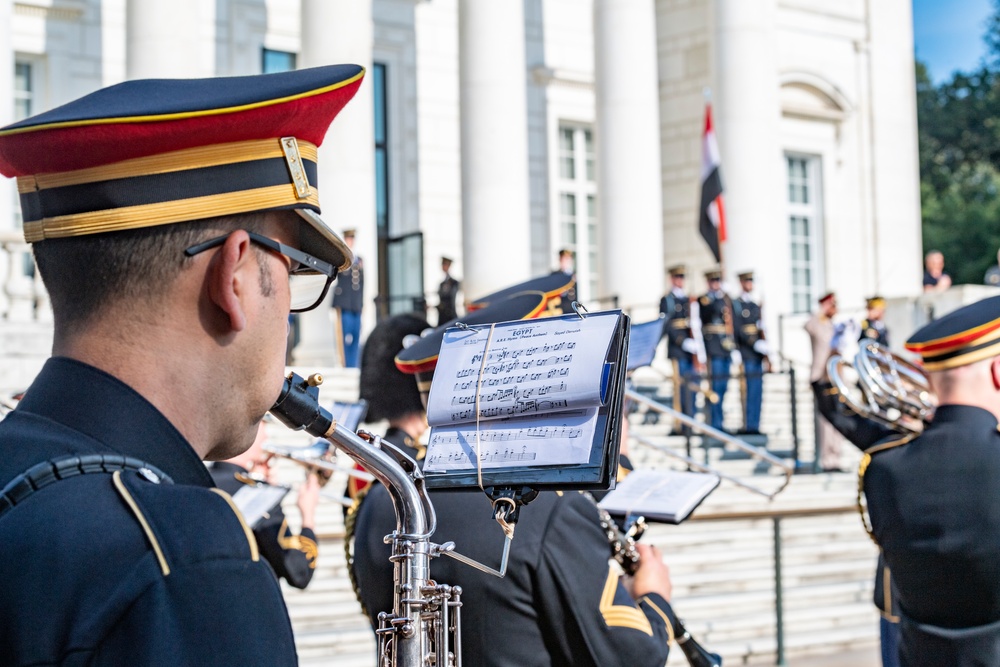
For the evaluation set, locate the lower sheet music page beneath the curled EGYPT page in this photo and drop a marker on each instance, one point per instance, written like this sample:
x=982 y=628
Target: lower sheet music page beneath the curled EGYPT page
x=561 y=438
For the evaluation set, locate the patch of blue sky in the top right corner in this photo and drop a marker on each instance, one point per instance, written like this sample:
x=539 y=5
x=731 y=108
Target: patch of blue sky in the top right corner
x=948 y=34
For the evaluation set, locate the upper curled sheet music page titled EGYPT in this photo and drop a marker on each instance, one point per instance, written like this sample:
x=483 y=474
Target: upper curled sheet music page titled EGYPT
x=532 y=367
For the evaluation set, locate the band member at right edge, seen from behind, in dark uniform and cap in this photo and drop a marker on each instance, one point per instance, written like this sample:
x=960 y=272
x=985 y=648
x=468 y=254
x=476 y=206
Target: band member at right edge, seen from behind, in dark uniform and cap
x=931 y=498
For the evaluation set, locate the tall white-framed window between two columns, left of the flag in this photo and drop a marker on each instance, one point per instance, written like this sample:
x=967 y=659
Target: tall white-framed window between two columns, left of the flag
x=578 y=205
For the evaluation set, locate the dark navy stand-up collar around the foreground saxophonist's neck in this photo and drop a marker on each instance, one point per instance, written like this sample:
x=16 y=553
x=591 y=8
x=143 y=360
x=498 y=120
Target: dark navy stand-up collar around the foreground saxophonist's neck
x=96 y=404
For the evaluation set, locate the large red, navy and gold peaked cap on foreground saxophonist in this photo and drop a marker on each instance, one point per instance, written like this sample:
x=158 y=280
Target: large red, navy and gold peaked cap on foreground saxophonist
x=158 y=151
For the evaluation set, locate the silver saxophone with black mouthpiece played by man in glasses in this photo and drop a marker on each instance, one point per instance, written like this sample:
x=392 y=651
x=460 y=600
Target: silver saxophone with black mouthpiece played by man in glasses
x=423 y=628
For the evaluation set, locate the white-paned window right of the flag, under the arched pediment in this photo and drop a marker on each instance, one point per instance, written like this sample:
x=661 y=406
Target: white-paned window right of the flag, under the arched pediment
x=804 y=221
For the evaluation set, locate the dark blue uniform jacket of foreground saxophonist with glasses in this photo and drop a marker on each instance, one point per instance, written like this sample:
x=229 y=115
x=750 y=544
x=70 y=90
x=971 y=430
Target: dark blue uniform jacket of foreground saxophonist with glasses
x=103 y=569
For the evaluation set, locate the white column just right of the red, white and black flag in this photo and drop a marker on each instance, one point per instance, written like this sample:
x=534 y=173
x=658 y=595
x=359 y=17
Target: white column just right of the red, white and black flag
x=747 y=114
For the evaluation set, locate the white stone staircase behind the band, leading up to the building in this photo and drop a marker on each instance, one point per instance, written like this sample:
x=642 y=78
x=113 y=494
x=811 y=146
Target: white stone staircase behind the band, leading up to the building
x=722 y=569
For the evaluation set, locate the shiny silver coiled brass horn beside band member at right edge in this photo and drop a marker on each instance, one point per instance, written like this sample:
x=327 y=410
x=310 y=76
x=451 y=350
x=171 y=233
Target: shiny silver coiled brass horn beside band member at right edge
x=884 y=387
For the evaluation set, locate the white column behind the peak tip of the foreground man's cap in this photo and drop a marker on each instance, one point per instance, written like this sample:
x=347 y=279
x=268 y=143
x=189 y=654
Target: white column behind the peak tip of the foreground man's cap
x=336 y=32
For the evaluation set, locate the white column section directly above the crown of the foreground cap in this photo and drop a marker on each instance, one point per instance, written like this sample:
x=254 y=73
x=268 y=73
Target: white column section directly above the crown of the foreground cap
x=170 y=39
